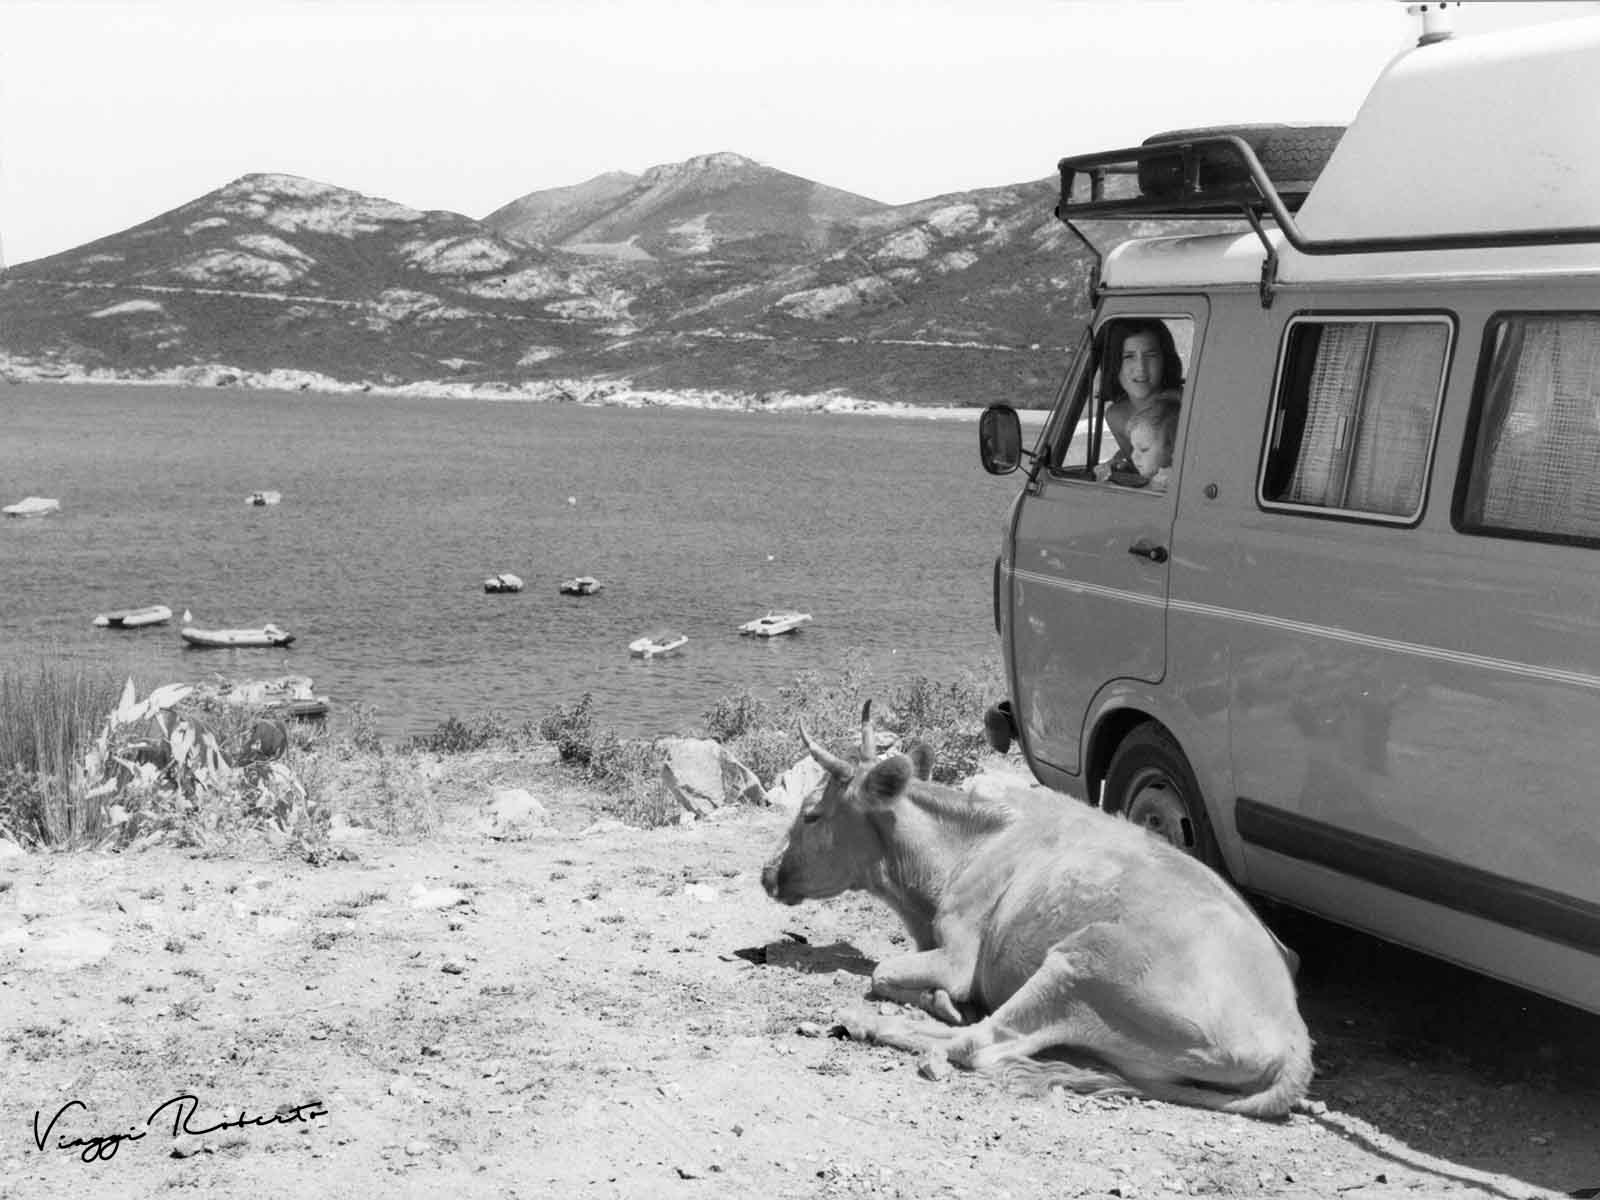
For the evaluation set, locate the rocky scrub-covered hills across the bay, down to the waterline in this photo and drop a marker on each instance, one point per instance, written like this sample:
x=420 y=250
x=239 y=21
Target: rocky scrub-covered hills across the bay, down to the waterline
x=713 y=274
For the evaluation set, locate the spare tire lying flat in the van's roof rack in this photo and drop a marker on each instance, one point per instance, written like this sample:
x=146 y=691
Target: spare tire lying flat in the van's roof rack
x=1292 y=156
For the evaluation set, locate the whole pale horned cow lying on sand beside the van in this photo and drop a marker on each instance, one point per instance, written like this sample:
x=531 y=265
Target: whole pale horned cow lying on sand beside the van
x=1063 y=929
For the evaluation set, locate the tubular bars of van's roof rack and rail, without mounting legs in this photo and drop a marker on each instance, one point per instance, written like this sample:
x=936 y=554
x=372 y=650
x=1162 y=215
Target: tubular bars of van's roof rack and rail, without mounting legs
x=1255 y=196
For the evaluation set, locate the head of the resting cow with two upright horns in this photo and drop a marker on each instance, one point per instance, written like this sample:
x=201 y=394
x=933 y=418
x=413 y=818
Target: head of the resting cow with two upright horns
x=834 y=844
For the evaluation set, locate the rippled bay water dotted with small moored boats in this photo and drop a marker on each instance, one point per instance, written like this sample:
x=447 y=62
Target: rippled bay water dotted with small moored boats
x=394 y=511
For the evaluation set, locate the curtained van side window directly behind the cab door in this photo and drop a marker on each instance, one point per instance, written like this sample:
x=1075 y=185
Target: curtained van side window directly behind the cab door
x=1358 y=406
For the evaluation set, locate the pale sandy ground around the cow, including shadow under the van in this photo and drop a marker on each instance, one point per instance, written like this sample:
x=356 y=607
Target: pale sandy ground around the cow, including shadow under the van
x=594 y=1010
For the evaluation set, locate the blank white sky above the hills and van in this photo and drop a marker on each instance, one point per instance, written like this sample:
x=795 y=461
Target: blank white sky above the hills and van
x=114 y=111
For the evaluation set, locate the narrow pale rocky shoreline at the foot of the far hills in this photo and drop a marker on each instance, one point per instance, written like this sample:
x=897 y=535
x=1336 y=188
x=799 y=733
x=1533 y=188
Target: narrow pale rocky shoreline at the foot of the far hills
x=582 y=391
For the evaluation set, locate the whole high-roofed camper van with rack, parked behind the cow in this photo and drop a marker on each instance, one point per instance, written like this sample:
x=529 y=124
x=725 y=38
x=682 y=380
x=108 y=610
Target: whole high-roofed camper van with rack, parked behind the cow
x=1337 y=630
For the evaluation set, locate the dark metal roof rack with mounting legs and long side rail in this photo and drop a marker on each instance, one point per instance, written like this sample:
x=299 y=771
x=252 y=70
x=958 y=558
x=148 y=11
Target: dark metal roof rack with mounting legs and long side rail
x=1220 y=177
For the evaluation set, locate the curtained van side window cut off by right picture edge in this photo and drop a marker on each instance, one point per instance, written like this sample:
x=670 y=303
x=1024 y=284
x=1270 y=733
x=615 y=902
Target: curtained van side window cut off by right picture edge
x=1535 y=462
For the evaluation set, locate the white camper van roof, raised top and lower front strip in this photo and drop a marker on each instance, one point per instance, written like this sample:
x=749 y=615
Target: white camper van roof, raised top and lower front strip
x=1484 y=135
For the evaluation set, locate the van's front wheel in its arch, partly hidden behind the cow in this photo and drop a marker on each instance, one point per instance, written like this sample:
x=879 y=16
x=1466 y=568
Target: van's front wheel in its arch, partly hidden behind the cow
x=1150 y=783
